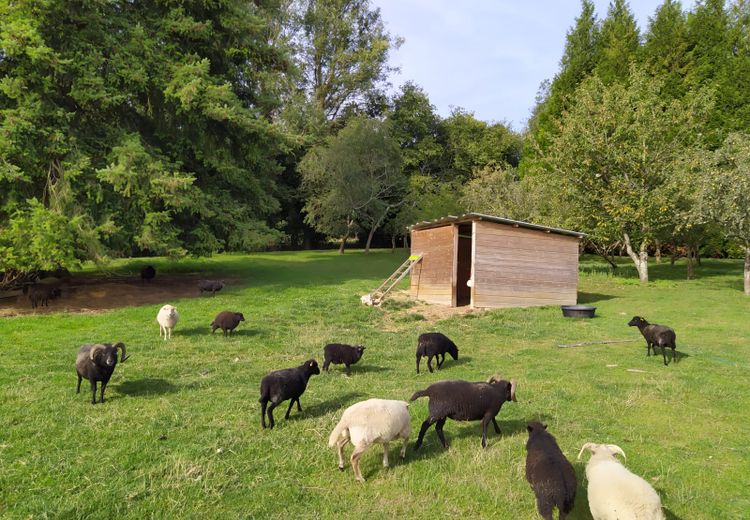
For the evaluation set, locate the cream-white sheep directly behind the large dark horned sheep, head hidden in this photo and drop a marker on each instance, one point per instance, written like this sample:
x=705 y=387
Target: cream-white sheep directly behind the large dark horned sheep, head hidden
x=368 y=422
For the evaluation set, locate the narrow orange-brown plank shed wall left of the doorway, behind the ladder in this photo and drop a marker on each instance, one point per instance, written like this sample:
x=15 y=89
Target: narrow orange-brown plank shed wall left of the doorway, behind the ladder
x=432 y=278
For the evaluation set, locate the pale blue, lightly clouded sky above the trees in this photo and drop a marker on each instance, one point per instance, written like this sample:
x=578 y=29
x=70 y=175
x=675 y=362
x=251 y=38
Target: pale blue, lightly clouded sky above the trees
x=487 y=56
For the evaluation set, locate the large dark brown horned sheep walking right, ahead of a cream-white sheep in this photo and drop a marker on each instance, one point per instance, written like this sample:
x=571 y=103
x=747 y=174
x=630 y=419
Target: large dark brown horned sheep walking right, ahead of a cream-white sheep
x=465 y=401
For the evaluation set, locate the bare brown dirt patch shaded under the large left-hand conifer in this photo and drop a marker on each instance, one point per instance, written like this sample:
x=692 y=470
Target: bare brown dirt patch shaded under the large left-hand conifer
x=93 y=294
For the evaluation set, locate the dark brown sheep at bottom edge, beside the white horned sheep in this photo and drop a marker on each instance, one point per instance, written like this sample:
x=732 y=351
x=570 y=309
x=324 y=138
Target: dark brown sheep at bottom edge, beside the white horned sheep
x=550 y=474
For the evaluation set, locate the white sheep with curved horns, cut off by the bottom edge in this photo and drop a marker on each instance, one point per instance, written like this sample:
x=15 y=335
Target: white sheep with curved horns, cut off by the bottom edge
x=614 y=492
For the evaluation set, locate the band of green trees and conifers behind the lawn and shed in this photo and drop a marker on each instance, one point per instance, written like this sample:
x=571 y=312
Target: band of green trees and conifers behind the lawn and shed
x=132 y=128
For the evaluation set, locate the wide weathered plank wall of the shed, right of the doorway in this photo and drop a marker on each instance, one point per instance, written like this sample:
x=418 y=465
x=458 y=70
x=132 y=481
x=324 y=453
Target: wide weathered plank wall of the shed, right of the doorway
x=519 y=267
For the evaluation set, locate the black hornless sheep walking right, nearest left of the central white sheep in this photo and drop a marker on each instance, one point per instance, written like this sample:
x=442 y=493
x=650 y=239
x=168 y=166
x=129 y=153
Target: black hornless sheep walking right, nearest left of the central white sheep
x=289 y=383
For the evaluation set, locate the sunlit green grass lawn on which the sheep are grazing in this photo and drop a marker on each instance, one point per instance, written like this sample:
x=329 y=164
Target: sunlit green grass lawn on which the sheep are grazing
x=180 y=437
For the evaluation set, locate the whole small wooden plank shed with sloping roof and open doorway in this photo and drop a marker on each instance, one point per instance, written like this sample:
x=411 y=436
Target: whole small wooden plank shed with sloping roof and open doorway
x=487 y=261
